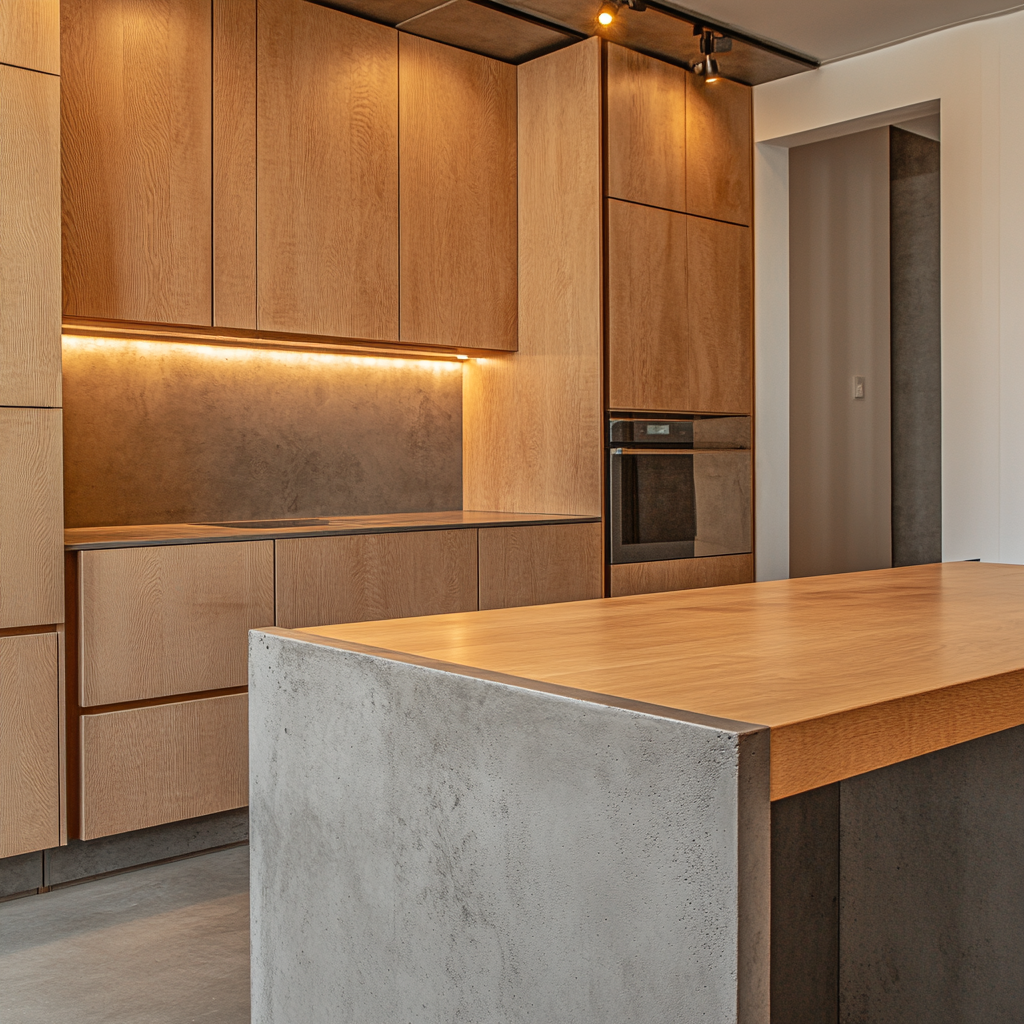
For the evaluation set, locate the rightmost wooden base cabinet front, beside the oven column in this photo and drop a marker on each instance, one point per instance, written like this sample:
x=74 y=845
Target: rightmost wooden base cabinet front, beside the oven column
x=541 y=565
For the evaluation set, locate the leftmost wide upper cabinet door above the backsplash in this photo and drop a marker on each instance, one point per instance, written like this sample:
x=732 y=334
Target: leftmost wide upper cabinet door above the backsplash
x=136 y=107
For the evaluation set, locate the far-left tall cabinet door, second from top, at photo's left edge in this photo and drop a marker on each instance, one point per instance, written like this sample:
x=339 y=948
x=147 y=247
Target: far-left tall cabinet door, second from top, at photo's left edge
x=30 y=238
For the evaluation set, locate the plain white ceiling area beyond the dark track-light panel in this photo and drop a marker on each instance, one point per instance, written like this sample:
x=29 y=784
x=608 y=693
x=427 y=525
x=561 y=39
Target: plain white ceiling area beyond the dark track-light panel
x=829 y=30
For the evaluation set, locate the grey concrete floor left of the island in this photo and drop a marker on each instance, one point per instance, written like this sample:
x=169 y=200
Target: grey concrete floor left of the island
x=162 y=946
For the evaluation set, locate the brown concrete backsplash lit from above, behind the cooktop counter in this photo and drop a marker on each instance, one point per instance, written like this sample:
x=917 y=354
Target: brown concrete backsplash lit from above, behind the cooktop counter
x=166 y=433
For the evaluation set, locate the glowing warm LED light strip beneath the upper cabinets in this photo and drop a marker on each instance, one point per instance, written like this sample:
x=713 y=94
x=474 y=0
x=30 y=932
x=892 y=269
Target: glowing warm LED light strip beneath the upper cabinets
x=228 y=353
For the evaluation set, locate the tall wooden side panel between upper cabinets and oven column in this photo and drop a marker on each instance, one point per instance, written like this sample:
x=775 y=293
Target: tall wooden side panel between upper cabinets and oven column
x=533 y=421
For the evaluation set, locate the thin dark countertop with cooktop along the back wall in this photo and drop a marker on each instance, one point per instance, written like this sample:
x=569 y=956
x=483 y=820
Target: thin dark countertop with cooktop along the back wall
x=93 y=538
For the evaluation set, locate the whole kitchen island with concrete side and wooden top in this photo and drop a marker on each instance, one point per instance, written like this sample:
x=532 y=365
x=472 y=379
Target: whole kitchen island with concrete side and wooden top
x=797 y=801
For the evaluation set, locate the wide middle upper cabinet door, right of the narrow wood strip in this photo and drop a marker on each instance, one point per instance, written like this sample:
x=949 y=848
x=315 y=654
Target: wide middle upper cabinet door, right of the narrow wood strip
x=328 y=173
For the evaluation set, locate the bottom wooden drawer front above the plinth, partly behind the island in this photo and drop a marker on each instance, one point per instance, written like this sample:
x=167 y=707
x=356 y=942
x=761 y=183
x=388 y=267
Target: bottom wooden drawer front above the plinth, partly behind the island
x=147 y=766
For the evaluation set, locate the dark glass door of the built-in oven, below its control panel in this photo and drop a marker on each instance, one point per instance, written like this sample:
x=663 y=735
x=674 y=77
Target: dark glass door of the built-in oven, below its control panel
x=678 y=504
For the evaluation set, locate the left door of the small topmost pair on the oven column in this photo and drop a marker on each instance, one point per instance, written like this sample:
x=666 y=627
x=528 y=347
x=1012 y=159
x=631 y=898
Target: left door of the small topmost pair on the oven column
x=646 y=119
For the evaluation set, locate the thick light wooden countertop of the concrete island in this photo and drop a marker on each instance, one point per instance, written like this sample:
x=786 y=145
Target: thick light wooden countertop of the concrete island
x=850 y=672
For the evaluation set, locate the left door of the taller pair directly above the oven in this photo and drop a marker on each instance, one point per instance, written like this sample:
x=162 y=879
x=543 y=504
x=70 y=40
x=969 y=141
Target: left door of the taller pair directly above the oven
x=648 y=296
